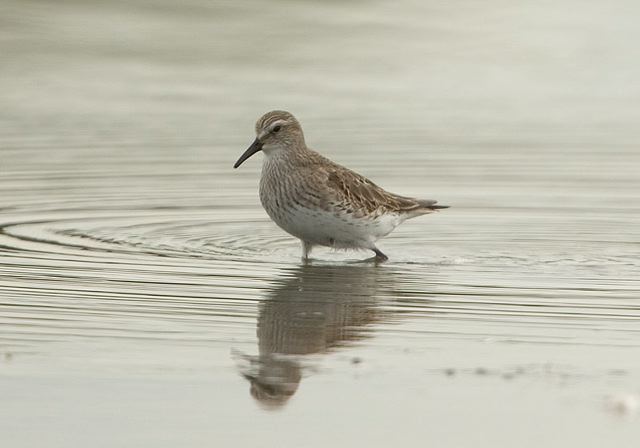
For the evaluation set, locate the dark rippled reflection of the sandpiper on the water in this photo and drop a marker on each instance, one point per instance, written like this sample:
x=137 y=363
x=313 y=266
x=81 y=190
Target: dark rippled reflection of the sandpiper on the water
x=311 y=309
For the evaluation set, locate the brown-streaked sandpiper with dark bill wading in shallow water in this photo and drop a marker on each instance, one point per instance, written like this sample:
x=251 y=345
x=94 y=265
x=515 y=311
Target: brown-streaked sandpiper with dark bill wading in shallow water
x=317 y=200
